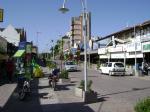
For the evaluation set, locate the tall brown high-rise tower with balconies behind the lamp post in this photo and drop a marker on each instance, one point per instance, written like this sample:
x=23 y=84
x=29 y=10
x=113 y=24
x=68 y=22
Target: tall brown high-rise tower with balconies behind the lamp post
x=77 y=29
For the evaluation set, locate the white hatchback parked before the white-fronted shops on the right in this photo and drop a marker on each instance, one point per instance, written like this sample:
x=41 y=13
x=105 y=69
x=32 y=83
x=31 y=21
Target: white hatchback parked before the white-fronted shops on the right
x=113 y=68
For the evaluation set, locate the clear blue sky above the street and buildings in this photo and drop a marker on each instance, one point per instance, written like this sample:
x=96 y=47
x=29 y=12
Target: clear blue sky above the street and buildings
x=34 y=16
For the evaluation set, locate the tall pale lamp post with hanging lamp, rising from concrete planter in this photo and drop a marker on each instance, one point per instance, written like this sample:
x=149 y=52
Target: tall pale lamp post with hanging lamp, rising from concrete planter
x=84 y=10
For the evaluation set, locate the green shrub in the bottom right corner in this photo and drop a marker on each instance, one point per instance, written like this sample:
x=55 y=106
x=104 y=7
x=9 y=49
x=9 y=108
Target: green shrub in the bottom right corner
x=143 y=105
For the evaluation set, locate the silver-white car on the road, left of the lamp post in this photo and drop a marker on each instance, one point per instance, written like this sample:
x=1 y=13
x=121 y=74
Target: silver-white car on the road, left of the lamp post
x=70 y=66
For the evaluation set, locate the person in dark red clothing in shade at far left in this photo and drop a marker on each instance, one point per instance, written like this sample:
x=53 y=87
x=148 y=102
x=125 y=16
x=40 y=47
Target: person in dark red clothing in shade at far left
x=9 y=69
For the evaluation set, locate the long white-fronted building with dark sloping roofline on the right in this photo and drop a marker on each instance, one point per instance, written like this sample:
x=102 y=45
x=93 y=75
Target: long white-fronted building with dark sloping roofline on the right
x=128 y=45
